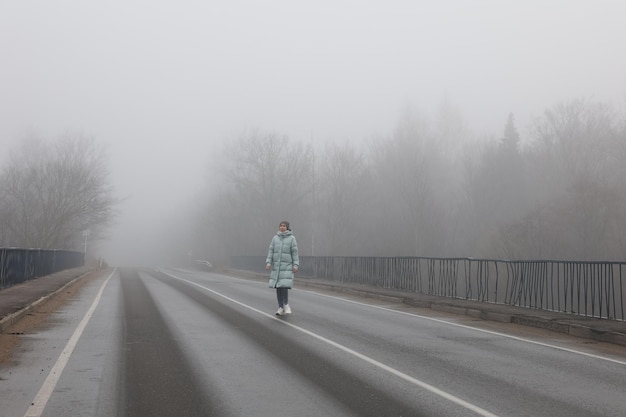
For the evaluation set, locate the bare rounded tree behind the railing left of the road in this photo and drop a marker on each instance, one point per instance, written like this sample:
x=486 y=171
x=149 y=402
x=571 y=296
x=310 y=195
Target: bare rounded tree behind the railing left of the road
x=53 y=192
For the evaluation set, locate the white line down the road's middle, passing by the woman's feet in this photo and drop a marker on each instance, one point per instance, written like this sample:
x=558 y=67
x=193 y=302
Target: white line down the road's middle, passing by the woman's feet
x=408 y=378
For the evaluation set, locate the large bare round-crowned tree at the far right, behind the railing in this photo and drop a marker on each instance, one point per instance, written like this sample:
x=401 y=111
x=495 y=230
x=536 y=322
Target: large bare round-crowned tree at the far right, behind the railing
x=577 y=178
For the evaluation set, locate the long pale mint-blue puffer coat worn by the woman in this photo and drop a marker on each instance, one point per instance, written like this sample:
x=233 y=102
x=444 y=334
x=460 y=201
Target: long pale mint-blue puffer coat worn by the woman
x=282 y=255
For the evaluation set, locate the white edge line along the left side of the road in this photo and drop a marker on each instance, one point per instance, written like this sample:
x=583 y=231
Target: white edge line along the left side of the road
x=45 y=392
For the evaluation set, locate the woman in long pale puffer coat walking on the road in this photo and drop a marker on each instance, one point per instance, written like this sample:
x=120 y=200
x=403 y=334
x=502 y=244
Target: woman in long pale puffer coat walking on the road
x=282 y=259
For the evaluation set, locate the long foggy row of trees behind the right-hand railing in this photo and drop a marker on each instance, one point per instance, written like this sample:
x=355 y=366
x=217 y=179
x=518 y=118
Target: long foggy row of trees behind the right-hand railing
x=429 y=188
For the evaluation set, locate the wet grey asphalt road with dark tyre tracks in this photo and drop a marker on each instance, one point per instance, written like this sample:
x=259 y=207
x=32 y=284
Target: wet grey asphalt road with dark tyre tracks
x=185 y=343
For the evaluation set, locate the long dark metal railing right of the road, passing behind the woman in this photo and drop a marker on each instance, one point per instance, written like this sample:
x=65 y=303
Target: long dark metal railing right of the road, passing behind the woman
x=592 y=289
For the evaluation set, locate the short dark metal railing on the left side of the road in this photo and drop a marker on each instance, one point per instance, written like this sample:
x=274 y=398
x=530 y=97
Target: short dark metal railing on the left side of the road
x=20 y=265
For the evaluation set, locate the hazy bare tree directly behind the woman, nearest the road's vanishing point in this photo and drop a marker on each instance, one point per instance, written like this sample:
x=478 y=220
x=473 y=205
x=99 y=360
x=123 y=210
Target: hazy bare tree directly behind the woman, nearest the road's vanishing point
x=266 y=179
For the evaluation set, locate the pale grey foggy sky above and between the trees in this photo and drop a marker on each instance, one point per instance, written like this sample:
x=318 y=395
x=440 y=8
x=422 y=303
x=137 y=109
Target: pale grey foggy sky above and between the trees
x=165 y=85
